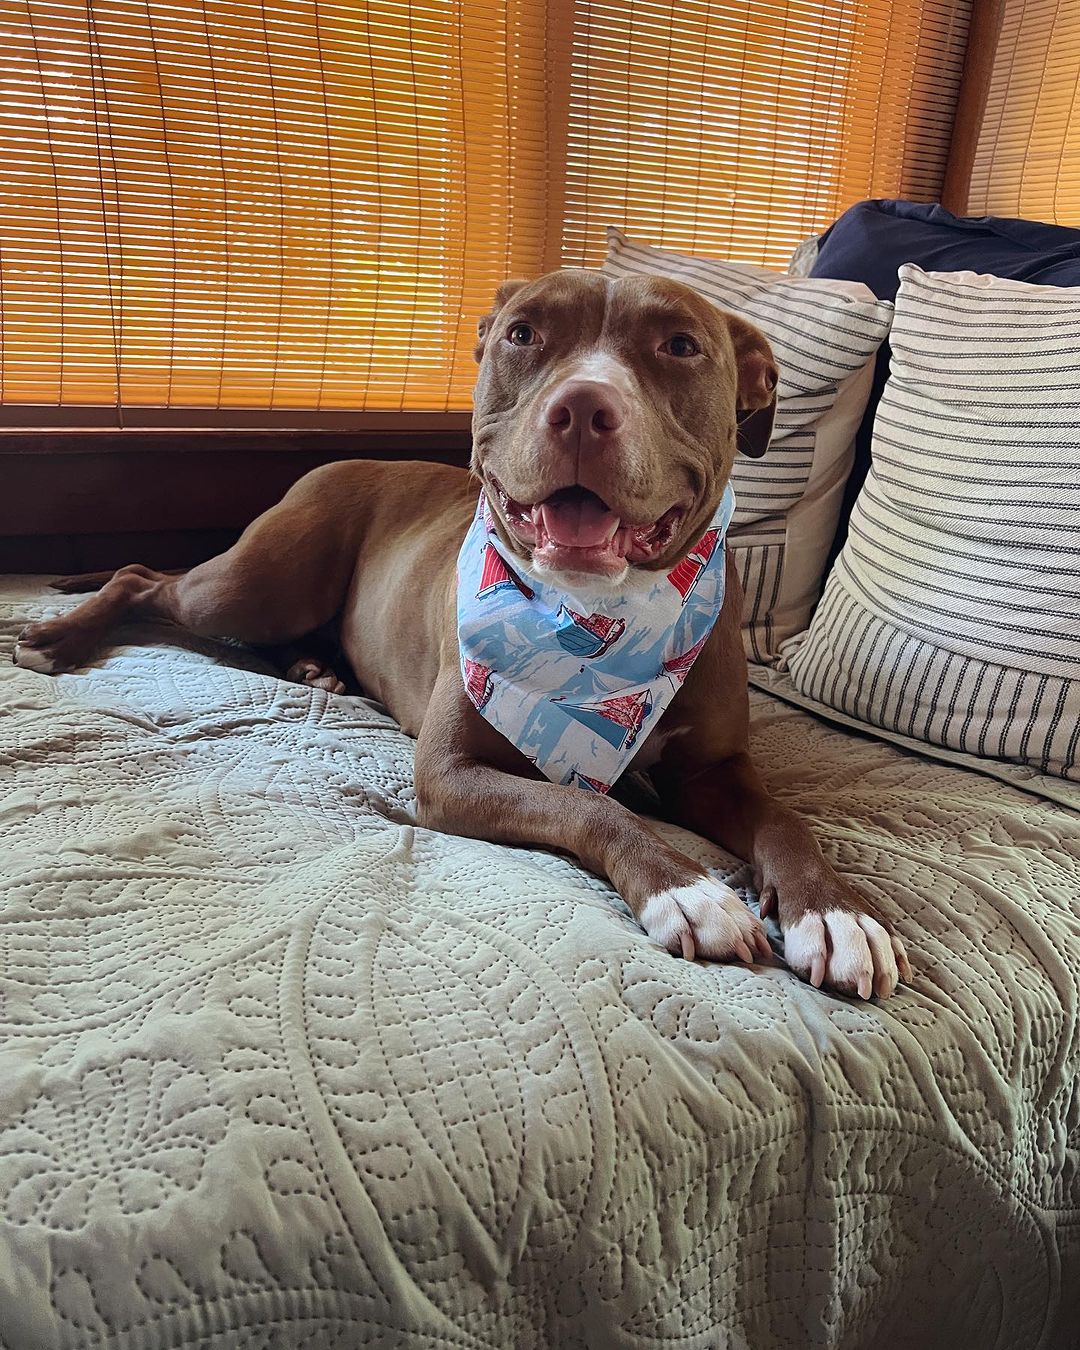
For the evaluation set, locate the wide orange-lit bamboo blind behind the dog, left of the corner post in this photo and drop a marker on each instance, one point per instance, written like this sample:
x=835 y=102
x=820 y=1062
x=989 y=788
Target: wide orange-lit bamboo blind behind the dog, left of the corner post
x=302 y=205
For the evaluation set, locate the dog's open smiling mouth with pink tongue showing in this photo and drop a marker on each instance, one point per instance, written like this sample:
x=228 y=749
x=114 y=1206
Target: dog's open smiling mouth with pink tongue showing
x=577 y=531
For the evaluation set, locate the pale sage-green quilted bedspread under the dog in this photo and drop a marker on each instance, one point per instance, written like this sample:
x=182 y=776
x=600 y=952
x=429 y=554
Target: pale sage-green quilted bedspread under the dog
x=280 y=1069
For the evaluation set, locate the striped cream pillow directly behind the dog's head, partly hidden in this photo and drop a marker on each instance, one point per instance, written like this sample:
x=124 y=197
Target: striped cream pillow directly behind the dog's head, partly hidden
x=824 y=335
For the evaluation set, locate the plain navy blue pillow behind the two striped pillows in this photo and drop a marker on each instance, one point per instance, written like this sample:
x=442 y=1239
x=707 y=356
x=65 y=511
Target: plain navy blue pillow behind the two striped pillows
x=871 y=241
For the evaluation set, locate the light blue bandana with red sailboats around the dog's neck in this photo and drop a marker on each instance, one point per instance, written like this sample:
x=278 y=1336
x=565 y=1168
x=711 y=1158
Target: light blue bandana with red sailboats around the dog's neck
x=577 y=680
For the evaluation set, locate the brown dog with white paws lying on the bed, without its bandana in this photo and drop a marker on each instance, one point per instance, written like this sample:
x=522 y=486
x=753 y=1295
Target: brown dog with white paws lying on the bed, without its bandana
x=608 y=415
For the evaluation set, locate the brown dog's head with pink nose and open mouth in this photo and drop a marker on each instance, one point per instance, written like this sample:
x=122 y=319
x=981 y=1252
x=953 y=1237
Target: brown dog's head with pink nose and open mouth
x=608 y=415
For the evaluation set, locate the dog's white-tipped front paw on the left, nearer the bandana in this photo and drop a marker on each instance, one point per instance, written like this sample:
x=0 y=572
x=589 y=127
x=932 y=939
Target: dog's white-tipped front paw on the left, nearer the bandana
x=705 y=919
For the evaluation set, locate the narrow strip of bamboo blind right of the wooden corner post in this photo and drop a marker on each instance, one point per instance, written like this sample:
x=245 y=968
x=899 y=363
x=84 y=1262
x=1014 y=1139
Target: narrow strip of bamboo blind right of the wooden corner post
x=1028 y=155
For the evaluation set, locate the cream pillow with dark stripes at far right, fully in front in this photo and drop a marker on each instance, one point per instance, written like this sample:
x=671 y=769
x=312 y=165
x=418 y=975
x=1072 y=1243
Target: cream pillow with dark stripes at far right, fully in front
x=954 y=611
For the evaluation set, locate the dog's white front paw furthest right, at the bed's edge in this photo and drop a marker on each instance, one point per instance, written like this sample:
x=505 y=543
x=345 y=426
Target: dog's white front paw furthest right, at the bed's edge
x=848 y=952
